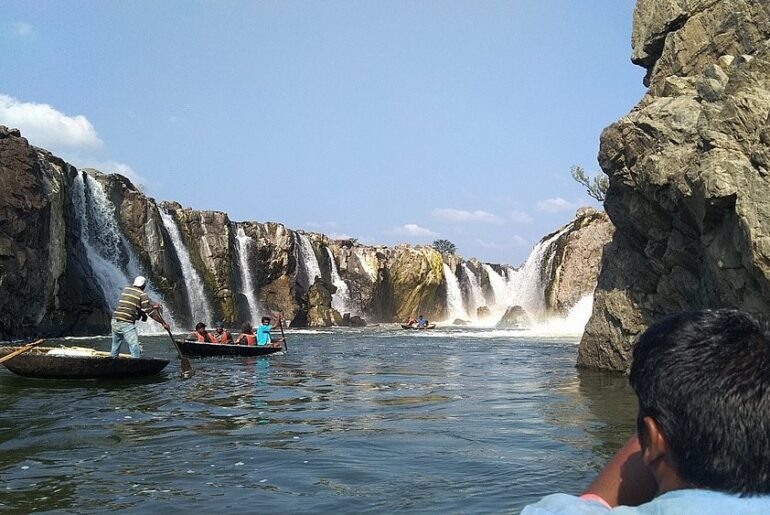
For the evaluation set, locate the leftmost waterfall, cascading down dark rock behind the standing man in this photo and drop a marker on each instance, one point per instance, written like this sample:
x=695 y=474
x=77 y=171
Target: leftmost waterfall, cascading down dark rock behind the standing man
x=112 y=260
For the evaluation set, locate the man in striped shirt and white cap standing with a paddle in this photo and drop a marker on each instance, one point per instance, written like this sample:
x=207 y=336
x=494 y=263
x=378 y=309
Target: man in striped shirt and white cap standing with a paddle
x=133 y=305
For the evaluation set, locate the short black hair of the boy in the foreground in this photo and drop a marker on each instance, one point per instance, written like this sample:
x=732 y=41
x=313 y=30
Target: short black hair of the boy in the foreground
x=704 y=376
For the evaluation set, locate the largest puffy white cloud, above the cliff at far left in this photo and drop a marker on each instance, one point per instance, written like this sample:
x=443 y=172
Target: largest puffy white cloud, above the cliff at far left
x=46 y=127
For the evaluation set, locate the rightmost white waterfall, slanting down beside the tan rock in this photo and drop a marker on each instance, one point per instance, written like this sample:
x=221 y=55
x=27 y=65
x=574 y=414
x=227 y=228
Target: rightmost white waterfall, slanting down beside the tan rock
x=526 y=285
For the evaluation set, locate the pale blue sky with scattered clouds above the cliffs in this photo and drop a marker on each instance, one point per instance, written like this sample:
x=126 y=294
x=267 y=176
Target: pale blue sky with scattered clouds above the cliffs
x=391 y=121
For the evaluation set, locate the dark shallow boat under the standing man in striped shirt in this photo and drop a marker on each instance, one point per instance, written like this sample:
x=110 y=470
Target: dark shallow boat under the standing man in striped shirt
x=69 y=363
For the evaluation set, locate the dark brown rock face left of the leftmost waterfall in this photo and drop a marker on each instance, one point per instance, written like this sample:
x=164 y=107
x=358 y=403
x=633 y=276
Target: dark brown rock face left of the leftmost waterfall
x=46 y=287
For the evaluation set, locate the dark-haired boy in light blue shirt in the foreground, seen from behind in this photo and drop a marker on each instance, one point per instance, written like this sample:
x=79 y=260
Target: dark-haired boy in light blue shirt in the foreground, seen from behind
x=702 y=444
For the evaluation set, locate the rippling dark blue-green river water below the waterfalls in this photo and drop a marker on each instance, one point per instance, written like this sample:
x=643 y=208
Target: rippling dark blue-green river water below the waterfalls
x=376 y=420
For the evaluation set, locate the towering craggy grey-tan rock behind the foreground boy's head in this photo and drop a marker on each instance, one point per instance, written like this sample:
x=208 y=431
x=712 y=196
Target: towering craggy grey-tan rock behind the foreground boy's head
x=689 y=175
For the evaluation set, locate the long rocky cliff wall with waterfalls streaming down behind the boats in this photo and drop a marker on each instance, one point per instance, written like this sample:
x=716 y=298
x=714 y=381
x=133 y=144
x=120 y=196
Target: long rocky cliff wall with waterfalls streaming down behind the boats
x=70 y=240
